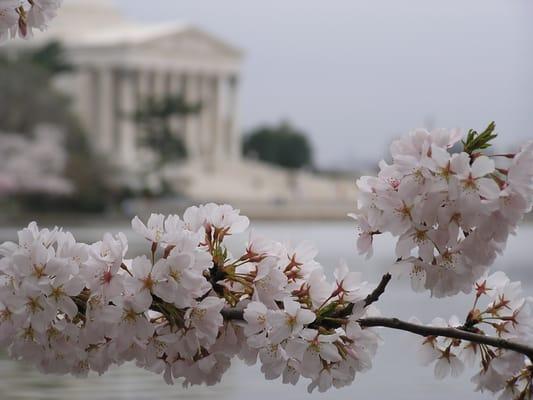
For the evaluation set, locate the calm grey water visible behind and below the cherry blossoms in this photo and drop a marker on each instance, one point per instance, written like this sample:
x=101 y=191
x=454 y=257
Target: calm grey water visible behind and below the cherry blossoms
x=396 y=373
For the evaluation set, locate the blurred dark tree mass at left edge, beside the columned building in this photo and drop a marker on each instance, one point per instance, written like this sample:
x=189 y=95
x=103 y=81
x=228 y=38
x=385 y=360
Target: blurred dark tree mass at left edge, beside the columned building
x=28 y=100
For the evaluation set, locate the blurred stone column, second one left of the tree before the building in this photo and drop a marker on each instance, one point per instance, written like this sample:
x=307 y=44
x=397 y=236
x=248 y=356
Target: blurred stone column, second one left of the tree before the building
x=106 y=110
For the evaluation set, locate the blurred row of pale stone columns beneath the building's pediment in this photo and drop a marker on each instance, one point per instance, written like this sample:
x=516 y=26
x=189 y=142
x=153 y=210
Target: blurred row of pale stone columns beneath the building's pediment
x=107 y=98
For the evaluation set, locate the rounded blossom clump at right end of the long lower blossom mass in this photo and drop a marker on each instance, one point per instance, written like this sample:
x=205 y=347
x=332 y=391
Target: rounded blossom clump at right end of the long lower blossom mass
x=309 y=337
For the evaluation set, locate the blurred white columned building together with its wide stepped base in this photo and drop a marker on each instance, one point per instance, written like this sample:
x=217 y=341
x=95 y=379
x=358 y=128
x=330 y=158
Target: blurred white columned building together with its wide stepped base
x=121 y=62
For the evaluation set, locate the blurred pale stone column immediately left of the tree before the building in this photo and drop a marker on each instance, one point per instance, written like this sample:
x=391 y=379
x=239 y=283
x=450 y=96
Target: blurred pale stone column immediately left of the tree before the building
x=128 y=129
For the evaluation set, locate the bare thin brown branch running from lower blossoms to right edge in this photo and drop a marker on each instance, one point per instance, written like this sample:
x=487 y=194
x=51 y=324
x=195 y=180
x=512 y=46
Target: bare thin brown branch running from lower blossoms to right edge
x=454 y=333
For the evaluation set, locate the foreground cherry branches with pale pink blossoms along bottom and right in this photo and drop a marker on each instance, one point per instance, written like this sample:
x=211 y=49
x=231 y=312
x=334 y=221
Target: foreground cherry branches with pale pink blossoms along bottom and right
x=188 y=306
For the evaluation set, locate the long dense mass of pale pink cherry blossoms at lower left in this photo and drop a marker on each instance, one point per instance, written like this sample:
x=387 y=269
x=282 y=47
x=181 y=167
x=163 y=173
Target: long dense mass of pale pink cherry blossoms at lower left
x=184 y=309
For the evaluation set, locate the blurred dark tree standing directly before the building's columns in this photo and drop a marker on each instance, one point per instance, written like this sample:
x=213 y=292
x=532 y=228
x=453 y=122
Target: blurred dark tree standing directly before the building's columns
x=155 y=117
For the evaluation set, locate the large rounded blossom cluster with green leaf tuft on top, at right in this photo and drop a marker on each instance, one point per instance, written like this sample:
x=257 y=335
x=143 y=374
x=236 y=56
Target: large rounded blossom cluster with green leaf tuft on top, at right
x=451 y=209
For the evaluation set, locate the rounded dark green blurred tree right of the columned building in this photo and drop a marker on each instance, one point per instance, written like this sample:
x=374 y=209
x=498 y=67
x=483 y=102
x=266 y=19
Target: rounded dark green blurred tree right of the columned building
x=282 y=145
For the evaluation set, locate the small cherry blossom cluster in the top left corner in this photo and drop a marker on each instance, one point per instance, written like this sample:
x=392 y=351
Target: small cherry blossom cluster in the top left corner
x=20 y=17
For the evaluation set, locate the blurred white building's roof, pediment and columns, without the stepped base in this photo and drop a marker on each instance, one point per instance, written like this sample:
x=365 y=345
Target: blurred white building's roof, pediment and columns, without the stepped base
x=120 y=63
